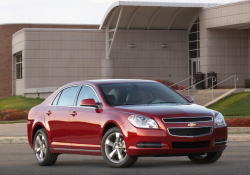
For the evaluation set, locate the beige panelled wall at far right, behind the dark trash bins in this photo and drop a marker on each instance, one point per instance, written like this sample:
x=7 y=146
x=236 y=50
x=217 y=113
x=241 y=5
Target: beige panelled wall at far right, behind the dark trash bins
x=225 y=51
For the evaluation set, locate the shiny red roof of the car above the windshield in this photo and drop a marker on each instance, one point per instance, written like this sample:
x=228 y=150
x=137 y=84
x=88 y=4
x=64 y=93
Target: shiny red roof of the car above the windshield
x=111 y=81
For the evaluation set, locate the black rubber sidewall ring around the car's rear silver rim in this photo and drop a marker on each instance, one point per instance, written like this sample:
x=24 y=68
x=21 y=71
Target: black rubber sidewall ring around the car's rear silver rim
x=42 y=131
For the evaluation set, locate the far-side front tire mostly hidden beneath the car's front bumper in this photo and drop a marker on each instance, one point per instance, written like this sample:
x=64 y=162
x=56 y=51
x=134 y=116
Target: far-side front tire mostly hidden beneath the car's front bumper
x=208 y=158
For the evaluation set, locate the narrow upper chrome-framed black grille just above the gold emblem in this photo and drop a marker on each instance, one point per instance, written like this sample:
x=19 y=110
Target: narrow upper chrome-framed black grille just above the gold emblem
x=187 y=119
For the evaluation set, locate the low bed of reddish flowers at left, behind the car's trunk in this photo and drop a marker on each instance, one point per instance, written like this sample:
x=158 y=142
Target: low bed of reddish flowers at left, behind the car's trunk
x=13 y=114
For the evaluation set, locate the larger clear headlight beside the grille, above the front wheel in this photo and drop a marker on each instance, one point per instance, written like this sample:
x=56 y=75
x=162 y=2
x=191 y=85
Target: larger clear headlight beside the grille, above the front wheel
x=142 y=122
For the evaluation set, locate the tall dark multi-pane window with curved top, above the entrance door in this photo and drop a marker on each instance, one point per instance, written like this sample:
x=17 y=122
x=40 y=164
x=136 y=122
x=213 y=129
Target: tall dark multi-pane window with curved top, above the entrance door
x=194 y=40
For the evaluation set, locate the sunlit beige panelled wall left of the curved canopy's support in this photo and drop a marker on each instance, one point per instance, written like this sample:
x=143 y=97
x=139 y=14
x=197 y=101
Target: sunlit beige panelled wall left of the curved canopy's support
x=53 y=58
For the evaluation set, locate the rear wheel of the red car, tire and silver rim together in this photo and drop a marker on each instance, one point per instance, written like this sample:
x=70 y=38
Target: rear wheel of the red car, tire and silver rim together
x=42 y=150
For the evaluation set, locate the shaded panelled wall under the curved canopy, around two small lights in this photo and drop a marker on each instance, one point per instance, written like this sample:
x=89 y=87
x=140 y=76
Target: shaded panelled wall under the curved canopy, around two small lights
x=148 y=60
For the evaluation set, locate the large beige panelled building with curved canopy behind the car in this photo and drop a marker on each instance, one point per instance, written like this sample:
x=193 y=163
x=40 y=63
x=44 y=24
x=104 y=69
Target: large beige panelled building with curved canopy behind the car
x=145 y=40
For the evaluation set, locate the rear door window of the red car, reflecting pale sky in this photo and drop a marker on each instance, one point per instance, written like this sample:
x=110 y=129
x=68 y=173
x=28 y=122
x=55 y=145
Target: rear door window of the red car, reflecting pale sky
x=67 y=96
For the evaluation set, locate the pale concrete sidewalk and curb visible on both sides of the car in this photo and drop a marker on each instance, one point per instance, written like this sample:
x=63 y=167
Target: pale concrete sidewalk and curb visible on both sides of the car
x=17 y=133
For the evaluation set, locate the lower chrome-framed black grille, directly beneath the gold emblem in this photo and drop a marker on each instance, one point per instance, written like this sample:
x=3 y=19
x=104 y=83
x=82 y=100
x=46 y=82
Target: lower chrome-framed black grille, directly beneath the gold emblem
x=190 y=132
